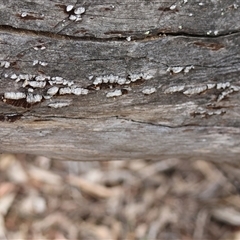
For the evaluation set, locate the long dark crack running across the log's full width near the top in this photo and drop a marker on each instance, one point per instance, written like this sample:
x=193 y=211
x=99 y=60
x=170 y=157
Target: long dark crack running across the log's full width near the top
x=156 y=33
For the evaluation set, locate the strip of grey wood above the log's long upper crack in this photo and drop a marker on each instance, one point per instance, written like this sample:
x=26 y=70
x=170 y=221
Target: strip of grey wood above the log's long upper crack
x=108 y=19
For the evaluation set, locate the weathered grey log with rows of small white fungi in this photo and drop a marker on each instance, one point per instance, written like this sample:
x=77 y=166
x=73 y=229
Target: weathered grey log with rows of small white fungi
x=110 y=81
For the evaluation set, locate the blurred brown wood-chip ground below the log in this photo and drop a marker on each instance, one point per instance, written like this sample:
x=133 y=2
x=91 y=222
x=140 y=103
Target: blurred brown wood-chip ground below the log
x=41 y=198
